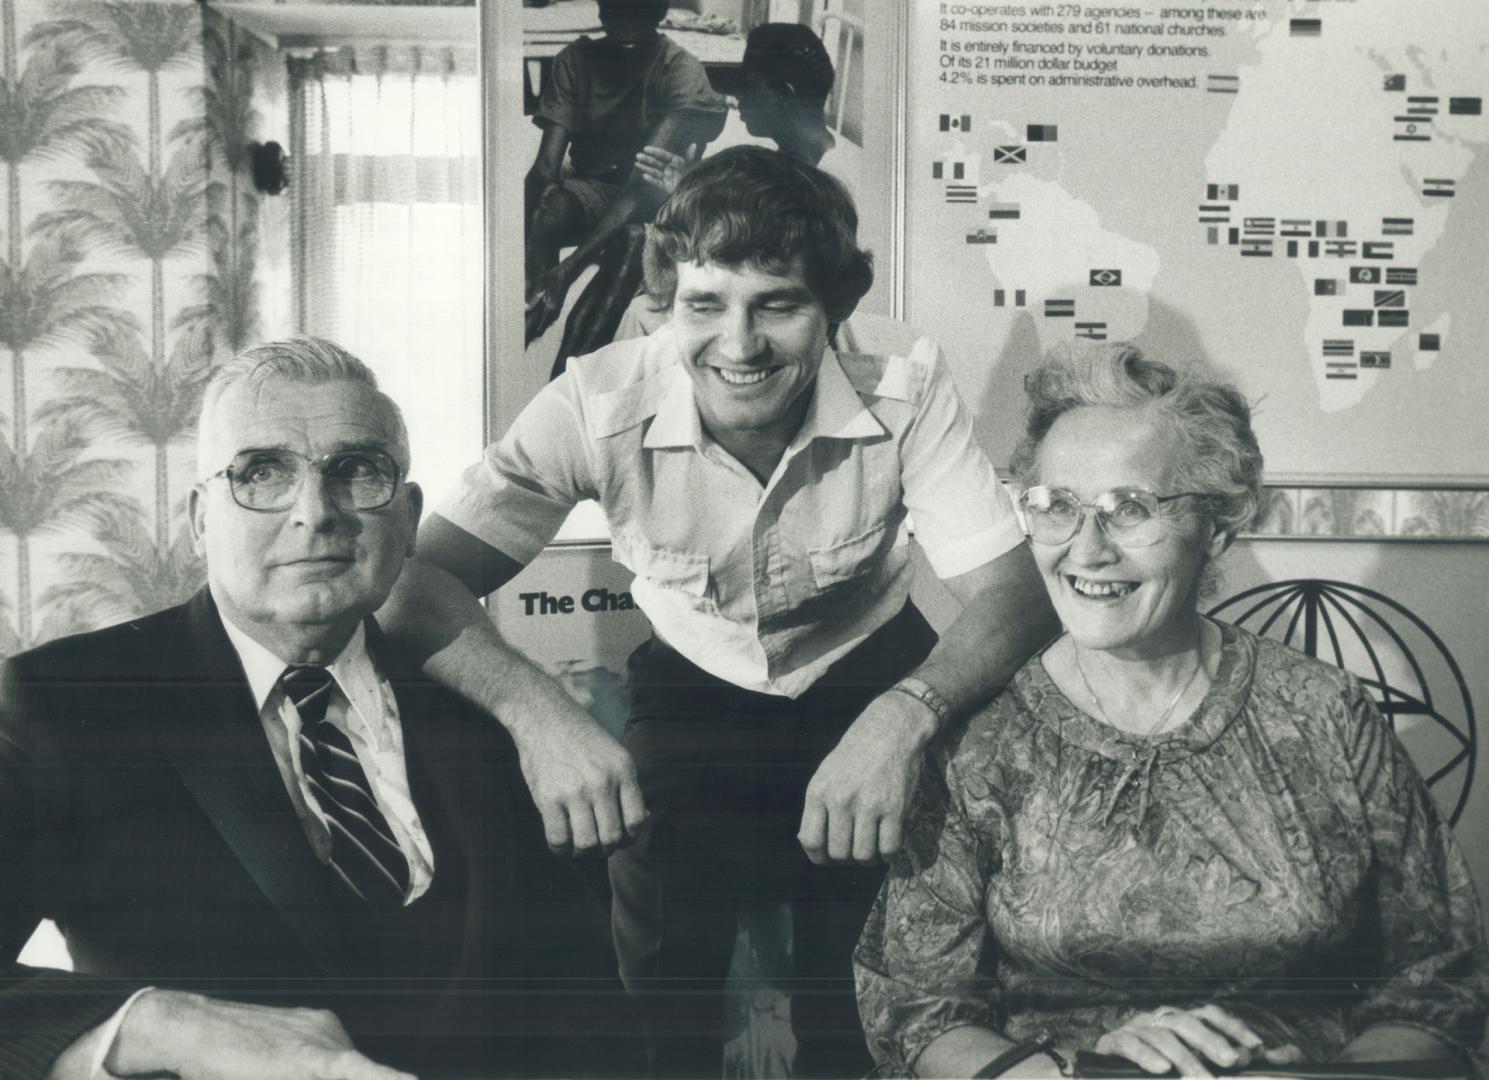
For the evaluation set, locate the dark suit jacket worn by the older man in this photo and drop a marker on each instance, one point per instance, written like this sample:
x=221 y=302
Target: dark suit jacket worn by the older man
x=142 y=811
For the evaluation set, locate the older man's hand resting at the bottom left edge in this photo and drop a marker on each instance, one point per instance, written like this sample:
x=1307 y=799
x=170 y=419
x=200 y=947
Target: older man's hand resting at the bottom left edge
x=205 y=1039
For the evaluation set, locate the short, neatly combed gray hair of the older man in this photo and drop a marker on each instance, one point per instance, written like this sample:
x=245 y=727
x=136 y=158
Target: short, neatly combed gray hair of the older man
x=302 y=360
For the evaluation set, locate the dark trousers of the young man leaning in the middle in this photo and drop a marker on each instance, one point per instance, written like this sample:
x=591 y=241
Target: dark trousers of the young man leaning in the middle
x=724 y=774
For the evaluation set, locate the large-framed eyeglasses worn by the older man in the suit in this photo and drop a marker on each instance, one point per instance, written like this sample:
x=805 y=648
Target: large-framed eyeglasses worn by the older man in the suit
x=272 y=480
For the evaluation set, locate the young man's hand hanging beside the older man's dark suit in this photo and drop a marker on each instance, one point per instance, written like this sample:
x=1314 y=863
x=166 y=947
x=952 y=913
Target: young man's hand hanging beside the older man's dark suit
x=581 y=778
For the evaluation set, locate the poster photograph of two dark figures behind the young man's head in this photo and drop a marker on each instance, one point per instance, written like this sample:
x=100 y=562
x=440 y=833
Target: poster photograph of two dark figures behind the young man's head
x=602 y=84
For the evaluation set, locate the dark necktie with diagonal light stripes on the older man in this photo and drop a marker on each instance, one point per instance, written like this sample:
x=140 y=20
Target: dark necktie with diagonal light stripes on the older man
x=363 y=848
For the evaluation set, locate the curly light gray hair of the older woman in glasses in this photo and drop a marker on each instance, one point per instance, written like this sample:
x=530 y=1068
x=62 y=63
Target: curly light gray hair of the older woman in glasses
x=1210 y=416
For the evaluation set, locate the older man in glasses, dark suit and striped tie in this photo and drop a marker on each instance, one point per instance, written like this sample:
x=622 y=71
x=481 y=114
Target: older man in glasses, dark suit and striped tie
x=272 y=847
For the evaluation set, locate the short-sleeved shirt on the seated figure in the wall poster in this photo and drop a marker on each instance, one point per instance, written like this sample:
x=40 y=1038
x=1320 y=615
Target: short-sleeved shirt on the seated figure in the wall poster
x=611 y=108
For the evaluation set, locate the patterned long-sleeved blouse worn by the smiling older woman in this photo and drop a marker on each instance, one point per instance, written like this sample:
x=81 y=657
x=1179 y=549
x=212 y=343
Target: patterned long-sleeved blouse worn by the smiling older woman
x=1277 y=854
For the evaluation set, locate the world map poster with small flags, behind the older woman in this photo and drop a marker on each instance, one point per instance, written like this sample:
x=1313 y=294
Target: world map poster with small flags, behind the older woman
x=1293 y=191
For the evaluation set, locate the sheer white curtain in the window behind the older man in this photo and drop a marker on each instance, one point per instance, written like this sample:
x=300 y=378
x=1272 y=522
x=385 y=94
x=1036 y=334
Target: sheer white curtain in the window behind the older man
x=386 y=159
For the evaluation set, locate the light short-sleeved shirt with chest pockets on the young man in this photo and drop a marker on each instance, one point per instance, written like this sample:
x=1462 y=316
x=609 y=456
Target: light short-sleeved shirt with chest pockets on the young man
x=762 y=586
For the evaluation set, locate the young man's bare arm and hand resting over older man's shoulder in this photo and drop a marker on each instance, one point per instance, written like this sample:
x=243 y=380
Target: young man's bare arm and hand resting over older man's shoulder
x=581 y=778
